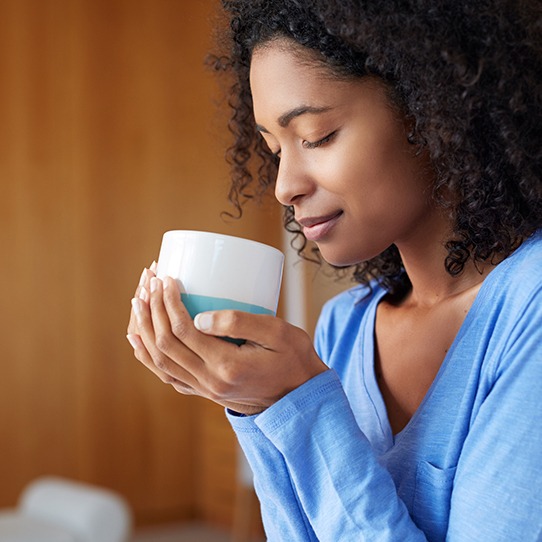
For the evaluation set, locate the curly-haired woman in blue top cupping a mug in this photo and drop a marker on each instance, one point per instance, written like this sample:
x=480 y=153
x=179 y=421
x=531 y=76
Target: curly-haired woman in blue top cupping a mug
x=404 y=140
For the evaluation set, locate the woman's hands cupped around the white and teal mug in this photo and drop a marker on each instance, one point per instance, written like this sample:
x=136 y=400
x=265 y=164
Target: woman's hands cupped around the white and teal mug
x=275 y=359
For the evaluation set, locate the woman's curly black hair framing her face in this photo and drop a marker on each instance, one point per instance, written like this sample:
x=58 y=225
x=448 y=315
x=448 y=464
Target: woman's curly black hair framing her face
x=467 y=74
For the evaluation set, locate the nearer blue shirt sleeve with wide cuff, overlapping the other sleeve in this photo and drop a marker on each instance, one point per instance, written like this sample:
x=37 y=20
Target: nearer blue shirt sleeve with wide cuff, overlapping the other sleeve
x=341 y=487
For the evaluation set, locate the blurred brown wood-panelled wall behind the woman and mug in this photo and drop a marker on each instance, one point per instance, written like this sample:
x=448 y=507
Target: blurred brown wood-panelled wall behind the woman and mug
x=110 y=134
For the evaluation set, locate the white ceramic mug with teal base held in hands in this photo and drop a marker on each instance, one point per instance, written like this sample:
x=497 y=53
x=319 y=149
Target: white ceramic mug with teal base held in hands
x=216 y=271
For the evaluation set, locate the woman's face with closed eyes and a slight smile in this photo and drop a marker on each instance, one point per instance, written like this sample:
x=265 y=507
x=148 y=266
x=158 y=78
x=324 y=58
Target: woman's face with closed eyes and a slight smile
x=346 y=166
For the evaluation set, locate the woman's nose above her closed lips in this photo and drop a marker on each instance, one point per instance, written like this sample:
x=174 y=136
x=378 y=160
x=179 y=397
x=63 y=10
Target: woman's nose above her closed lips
x=293 y=180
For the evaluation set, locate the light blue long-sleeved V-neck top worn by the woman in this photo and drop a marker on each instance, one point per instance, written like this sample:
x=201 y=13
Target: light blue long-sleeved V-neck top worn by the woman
x=467 y=467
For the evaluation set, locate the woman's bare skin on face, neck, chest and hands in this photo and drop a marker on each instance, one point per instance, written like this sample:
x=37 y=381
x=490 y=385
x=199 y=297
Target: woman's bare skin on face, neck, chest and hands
x=347 y=167
